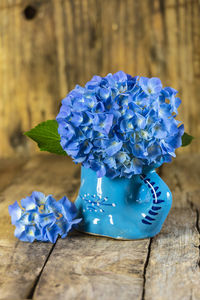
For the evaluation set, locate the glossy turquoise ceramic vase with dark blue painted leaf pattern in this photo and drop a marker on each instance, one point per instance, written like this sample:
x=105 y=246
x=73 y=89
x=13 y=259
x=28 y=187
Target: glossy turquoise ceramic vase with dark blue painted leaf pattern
x=123 y=208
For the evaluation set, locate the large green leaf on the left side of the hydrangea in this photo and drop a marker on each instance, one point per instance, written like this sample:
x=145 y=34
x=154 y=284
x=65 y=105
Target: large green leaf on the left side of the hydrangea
x=47 y=137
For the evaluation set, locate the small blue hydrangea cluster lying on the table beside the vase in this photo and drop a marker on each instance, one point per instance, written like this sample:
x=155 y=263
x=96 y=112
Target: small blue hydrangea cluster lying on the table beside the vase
x=42 y=218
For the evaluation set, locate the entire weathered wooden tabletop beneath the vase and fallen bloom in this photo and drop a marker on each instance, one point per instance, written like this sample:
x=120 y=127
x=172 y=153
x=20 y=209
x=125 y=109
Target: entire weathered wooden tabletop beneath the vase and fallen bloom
x=86 y=267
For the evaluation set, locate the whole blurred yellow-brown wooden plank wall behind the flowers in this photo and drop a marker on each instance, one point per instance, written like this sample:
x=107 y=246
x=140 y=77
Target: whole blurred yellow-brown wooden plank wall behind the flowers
x=47 y=46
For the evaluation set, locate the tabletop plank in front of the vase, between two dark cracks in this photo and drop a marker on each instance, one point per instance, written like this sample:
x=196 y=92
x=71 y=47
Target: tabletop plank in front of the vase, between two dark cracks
x=89 y=267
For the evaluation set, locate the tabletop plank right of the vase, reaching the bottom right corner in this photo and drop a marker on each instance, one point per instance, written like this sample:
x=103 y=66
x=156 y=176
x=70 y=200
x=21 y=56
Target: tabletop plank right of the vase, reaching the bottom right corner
x=173 y=268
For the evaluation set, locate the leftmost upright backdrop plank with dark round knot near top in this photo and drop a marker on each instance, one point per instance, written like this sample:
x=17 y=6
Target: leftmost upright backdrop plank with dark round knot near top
x=28 y=95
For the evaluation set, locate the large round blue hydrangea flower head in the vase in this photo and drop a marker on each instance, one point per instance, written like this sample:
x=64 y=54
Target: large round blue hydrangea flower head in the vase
x=118 y=125
